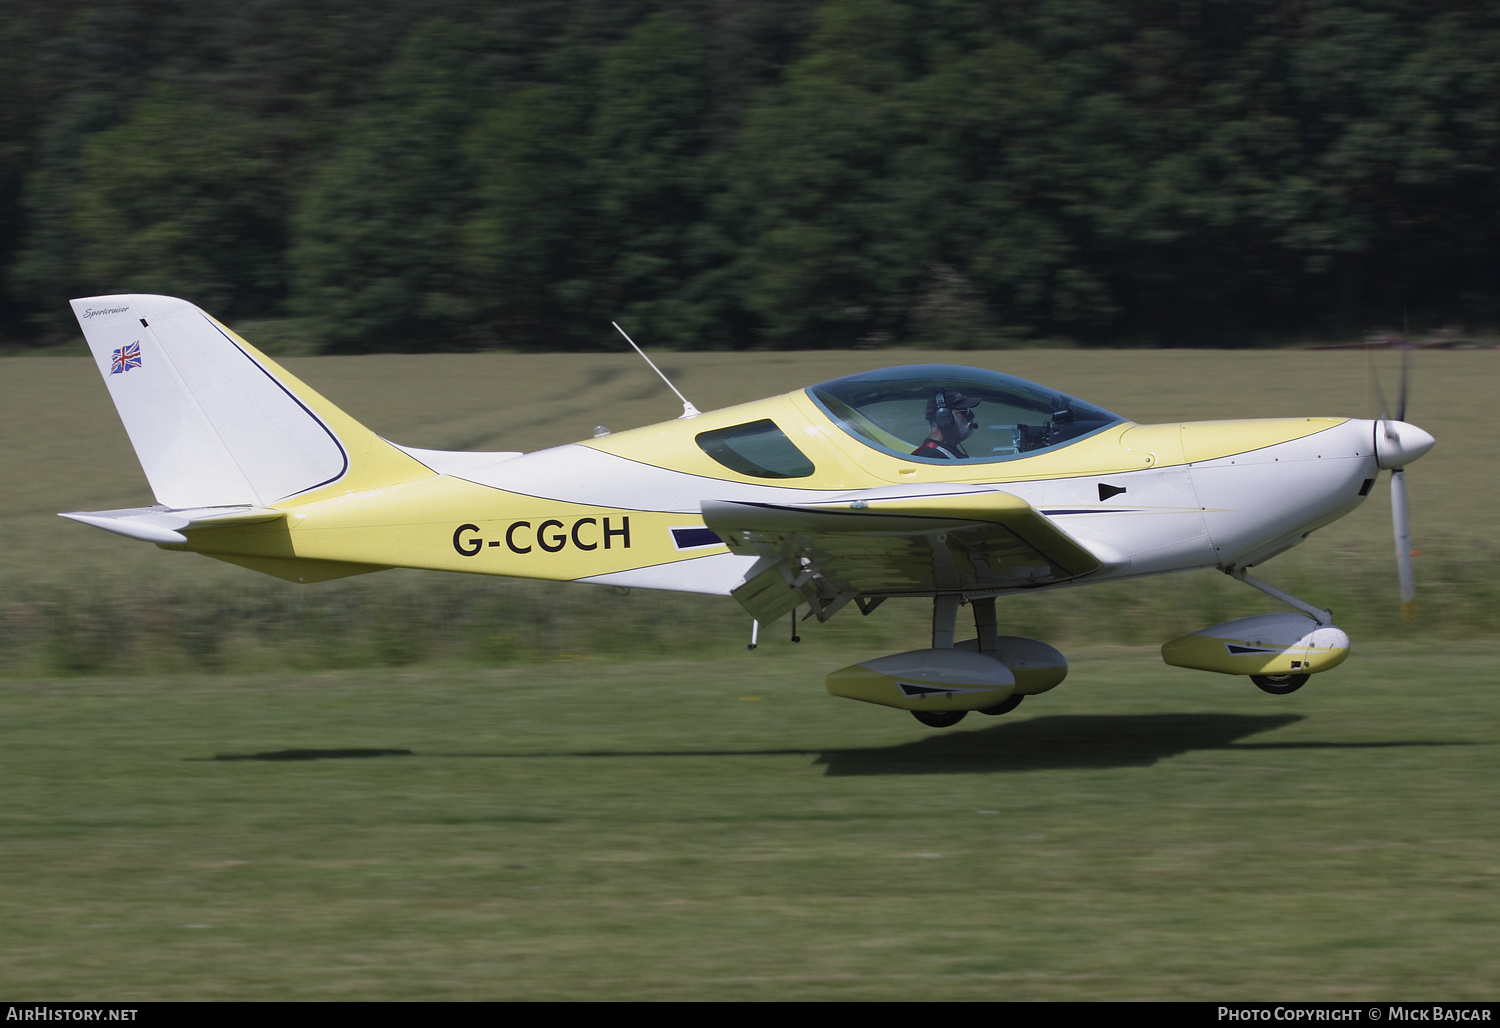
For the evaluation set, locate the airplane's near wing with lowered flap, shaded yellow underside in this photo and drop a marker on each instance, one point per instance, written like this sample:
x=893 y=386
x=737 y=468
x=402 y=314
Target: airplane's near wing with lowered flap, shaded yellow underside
x=892 y=543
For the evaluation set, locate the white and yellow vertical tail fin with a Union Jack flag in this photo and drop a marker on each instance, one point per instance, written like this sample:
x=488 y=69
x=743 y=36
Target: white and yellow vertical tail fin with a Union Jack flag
x=218 y=424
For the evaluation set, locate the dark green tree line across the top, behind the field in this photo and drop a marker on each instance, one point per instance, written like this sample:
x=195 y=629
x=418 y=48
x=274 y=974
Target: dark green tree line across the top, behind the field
x=716 y=175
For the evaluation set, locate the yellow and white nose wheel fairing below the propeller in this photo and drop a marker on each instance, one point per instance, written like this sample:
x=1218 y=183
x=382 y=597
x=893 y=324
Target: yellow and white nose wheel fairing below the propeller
x=1265 y=645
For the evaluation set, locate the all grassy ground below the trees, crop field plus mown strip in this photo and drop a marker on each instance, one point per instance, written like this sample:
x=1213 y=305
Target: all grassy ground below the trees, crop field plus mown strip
x=602 y=804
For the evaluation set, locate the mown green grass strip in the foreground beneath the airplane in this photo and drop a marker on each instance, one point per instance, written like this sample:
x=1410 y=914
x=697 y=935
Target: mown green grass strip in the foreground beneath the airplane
x=727 y=831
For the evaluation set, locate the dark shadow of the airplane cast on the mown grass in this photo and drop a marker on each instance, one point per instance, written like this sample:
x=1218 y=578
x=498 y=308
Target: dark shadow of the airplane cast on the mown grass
x=1061 y=742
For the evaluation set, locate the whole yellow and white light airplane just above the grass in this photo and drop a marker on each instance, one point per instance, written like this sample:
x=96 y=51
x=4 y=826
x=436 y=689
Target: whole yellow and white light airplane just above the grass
x=932 y=481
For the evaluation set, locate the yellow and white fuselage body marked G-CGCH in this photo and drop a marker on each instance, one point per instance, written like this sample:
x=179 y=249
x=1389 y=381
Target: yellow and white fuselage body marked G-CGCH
x=626 y=509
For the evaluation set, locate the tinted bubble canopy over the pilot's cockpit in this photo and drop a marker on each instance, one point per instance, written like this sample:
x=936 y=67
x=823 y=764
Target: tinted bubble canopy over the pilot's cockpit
x=1015 y=418
